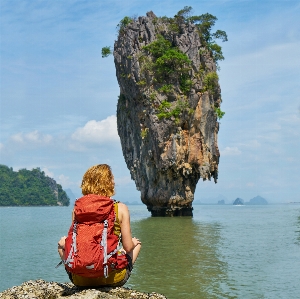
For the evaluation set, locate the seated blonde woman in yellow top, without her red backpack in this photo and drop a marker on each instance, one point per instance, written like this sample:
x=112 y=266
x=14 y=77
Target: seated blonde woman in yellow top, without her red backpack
x=99 y=180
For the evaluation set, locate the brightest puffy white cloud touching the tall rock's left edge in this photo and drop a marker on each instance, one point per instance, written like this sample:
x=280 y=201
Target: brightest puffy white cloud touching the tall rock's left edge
x=98 y=131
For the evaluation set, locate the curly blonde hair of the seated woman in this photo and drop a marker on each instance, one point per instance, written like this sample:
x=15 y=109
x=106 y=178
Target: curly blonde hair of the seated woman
x=98 y=179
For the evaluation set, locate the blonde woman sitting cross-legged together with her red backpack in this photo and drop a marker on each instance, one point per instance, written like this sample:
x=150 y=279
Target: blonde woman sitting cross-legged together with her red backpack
x=91 y=253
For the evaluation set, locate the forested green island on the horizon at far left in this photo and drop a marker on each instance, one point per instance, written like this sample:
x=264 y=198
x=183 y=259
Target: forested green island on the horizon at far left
x=30 y=188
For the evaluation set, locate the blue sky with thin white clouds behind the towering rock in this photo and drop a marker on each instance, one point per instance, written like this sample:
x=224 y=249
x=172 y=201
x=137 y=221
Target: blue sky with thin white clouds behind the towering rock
x=58 y=96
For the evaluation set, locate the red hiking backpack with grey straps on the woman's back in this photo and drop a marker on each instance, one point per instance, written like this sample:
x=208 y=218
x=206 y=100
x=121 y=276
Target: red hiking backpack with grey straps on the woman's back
x=91 y=245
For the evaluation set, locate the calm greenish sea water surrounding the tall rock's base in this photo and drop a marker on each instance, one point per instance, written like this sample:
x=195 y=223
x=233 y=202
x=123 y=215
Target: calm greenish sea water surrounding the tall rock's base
x=222 y=252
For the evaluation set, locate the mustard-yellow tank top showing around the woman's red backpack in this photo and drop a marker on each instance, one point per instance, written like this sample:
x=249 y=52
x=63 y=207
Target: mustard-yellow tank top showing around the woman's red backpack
x=113 y=277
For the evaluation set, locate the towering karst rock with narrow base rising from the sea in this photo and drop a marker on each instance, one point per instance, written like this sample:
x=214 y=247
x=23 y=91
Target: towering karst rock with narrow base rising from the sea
x=169 y=105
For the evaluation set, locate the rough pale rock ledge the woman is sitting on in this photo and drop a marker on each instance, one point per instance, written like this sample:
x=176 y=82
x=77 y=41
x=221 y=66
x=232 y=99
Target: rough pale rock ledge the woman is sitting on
x=40 y=289
